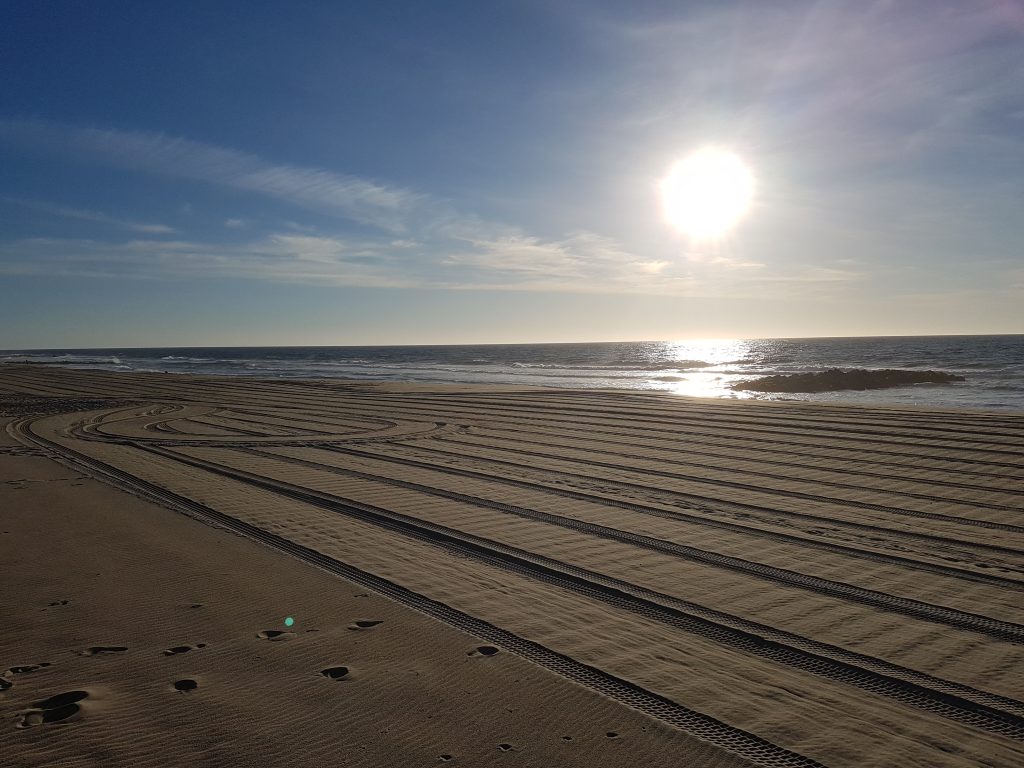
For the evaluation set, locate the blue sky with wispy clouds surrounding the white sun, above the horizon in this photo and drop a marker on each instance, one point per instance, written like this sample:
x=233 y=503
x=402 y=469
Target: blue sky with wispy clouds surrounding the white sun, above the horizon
x=277 y=174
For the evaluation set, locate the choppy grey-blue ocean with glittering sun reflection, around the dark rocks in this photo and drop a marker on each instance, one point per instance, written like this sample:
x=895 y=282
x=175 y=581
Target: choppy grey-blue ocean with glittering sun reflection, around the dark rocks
x=993 y=366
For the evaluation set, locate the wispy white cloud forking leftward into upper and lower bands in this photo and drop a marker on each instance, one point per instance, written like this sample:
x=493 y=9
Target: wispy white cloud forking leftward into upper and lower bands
x=421 y=242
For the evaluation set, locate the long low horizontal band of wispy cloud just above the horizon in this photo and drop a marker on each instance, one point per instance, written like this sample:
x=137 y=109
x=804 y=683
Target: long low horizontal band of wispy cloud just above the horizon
x=583 y=263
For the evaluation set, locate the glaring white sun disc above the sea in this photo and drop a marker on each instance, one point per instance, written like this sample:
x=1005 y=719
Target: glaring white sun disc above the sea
x=705 y=195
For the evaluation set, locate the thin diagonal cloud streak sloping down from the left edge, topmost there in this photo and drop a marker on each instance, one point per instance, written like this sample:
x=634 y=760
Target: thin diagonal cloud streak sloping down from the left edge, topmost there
x=351 y=197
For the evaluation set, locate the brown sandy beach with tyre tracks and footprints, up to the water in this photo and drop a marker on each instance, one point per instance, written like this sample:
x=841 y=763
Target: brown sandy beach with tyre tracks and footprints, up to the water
x=498 y=576
